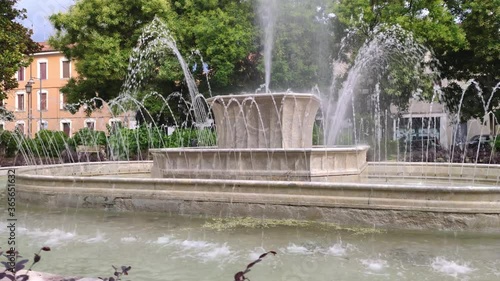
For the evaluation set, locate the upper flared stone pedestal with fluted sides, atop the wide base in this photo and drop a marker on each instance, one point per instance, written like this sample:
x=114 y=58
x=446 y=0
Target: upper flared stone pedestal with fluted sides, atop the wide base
x=264 y=120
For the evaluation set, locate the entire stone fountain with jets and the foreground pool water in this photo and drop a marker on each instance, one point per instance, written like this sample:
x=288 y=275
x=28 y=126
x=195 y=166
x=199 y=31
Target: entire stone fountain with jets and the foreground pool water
x=321 y=207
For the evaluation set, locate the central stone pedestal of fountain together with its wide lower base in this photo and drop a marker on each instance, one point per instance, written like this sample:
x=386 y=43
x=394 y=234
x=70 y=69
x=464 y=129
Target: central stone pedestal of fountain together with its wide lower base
x=263 y=137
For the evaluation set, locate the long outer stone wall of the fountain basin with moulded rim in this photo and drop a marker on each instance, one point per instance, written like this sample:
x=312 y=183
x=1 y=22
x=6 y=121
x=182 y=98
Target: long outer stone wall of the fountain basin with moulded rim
x=393 y=195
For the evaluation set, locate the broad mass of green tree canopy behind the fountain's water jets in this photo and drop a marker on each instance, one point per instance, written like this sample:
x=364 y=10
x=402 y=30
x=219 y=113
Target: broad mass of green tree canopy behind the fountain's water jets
x=462 y=36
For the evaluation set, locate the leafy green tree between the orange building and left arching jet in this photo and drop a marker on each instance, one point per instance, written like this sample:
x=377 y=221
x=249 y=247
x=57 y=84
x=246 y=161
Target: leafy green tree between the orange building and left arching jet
x=99 y=35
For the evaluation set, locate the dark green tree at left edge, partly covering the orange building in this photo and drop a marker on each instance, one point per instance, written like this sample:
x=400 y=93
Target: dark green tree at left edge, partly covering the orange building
x=17 y=45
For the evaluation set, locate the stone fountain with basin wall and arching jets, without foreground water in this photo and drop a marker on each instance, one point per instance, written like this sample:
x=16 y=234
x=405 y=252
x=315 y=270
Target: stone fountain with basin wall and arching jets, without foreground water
x=266 y=166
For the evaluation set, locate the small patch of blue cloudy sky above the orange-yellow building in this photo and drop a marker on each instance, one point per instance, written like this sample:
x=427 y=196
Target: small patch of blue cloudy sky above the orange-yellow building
x=38 y=12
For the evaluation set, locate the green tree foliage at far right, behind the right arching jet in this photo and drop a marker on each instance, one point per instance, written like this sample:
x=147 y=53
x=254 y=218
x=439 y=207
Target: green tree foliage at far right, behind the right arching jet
x=462 y=34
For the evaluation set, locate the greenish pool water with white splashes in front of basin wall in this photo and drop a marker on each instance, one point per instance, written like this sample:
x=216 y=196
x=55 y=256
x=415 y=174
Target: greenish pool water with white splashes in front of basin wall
x=171 y=247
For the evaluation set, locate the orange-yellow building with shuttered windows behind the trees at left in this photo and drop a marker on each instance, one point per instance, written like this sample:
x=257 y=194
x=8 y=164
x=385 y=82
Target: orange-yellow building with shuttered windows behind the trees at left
x=49 y=72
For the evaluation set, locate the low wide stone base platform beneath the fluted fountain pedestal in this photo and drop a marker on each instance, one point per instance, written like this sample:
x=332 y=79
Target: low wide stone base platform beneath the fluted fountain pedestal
x=341 y=164
